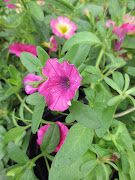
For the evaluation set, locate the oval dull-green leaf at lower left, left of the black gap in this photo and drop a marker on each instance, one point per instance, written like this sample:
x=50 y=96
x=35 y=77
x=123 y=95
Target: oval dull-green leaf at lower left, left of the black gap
x=16 y=154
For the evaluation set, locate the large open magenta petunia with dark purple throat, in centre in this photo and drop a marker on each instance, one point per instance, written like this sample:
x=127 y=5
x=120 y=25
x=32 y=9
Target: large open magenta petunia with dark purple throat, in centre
x=61 y=85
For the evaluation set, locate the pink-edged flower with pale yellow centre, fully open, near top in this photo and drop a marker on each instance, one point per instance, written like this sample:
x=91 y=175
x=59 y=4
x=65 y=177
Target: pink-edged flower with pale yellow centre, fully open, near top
x=62 y=27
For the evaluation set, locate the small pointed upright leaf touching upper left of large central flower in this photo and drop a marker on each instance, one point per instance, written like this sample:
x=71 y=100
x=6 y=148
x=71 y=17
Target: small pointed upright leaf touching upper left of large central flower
x=42 y=55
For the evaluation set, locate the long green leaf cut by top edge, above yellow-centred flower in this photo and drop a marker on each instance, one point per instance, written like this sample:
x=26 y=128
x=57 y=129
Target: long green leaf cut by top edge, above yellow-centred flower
x=61 y=4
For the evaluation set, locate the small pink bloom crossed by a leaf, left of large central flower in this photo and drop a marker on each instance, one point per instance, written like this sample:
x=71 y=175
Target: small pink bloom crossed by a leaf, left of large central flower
x=30 y=78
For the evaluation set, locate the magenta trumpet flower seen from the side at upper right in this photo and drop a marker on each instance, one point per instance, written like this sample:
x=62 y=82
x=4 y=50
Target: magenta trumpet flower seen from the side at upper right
x=121 y=32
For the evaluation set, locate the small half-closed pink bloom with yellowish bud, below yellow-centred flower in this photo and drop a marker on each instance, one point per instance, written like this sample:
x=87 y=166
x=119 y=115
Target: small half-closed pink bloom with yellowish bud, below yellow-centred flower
x=52 y=45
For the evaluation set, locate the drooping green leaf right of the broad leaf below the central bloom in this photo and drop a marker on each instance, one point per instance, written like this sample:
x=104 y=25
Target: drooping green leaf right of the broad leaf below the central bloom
x=106 y=119
